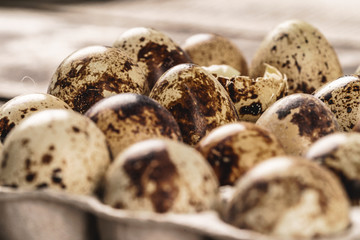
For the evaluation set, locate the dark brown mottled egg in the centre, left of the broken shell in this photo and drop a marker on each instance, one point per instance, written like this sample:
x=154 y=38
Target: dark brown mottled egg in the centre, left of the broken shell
x=196 y=99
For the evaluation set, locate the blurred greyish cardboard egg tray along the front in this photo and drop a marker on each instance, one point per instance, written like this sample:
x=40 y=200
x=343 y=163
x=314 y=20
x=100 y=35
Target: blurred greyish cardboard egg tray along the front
x=51 y=215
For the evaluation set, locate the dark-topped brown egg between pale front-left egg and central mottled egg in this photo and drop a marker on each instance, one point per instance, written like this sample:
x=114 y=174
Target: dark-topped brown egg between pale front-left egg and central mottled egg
x=128 y=118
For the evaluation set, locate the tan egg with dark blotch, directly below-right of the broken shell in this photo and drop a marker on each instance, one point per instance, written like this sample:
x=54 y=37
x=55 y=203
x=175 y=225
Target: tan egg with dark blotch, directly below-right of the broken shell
x=297 y=121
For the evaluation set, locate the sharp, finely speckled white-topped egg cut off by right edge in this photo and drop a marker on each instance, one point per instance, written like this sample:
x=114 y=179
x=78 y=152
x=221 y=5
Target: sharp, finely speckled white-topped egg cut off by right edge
x=342 y=96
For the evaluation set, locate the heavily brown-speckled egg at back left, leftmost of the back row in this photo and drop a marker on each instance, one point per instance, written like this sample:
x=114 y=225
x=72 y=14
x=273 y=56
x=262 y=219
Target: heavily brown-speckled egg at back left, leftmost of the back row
x=93 y=73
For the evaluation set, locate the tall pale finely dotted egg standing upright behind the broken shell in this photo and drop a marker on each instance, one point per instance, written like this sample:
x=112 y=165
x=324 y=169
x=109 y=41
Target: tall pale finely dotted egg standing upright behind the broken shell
x=300 y=51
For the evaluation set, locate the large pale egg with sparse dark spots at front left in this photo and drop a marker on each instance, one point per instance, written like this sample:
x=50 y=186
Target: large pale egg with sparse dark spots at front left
x=56 y=149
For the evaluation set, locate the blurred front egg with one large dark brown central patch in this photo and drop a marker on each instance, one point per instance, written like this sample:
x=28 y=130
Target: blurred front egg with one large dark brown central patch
x=161 y=176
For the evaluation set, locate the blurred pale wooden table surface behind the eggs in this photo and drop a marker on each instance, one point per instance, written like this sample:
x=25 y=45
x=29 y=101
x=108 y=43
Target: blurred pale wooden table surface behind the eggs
x=36 y=36
